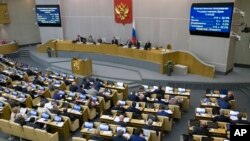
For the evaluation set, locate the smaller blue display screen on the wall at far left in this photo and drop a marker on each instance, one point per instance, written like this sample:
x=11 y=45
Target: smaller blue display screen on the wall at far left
x=48 y=15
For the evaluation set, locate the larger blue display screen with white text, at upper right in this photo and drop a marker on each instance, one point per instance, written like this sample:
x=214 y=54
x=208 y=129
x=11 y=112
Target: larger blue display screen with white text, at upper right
x=211 y=19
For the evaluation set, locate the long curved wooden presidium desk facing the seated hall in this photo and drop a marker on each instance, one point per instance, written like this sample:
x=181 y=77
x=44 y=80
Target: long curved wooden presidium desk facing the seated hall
x=156 y=57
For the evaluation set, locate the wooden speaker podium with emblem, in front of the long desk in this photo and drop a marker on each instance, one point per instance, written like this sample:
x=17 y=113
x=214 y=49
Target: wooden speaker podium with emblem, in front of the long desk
x=81 y=67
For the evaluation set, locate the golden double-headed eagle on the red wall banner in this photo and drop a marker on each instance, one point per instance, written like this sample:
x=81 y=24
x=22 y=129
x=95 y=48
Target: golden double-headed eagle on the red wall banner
x=122 y=11
